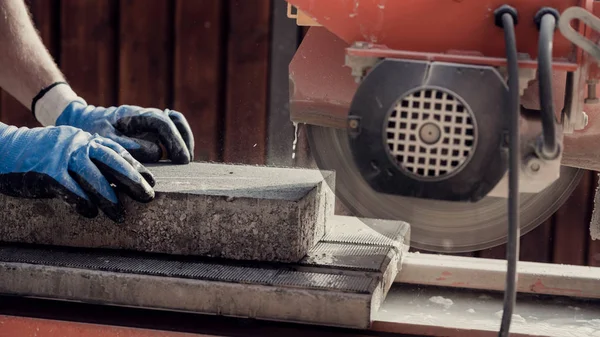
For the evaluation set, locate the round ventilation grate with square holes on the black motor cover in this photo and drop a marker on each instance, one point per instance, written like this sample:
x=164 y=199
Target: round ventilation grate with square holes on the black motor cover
x=431 y=133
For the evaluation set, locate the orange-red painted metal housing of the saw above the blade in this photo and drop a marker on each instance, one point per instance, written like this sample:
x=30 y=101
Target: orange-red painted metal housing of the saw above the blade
x=458 y=31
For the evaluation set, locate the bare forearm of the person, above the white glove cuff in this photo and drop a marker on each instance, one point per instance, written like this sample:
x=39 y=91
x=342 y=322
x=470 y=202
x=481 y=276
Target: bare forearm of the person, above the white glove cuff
x=26 y=67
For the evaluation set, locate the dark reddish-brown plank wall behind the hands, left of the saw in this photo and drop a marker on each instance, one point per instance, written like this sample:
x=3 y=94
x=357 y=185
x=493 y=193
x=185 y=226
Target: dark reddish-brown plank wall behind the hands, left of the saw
x=206 y=58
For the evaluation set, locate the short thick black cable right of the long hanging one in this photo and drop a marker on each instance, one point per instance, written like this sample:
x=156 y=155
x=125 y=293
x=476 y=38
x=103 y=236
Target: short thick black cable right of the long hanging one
x=546 y=20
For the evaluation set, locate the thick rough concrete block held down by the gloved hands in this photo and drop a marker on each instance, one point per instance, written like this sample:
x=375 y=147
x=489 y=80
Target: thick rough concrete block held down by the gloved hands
x=227 y=211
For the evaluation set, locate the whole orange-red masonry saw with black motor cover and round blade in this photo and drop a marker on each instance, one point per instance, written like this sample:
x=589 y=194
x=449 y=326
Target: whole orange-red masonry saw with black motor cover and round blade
x=410 y=103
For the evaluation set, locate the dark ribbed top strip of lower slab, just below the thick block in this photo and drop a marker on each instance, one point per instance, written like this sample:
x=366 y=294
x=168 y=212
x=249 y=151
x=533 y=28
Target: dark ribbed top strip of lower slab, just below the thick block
x=142 y=264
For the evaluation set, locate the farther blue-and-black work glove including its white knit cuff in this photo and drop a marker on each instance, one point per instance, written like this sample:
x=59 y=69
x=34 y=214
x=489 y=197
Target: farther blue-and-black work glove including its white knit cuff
x=141 y=131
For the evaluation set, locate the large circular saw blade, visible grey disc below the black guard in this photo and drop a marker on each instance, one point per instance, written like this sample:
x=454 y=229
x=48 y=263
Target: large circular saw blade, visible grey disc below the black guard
x=436 y=226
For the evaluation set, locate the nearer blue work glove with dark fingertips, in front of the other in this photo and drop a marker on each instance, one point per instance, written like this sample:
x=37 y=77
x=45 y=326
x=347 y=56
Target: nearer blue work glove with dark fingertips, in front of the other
x=73 y=165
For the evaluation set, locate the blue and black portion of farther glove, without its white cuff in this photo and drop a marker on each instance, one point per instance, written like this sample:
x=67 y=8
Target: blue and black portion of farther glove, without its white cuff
x=140 y=131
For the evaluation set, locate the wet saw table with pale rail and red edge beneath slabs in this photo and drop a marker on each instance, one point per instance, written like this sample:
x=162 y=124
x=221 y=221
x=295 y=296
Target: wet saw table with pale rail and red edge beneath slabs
x=421 y=302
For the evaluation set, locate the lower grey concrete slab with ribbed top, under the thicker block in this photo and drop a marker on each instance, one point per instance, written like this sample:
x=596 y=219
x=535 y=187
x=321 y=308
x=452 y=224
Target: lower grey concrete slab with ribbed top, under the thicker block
x=338 y=284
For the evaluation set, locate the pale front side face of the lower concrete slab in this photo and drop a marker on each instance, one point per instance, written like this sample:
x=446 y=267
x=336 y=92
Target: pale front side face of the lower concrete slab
x=279 y=303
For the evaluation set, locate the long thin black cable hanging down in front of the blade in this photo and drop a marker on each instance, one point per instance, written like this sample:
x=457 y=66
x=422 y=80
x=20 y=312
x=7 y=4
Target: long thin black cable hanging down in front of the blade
x=508 y=20
